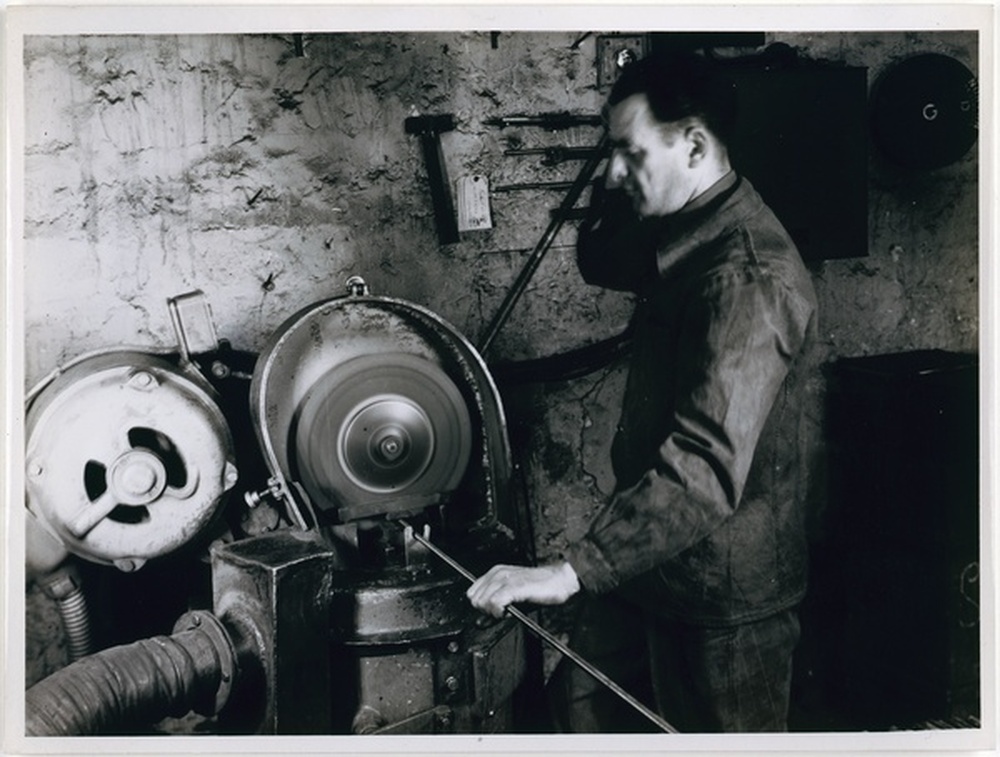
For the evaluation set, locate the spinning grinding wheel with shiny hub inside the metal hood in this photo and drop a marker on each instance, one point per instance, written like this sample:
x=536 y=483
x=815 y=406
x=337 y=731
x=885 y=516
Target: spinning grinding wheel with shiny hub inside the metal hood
x=379 y=428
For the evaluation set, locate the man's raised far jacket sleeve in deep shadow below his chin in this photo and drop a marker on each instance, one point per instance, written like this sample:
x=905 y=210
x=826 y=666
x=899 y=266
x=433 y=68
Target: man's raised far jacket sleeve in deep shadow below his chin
x=614 y=248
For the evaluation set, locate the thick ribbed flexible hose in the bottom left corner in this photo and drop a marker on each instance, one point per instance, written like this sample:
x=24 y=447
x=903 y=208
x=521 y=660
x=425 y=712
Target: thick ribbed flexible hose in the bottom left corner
x=137 y=684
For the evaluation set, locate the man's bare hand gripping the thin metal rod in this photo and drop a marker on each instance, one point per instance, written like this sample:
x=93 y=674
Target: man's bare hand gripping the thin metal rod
x=503 y=584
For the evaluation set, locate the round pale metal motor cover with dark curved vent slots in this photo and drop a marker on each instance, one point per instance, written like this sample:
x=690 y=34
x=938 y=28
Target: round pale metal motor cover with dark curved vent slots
x=128 y=457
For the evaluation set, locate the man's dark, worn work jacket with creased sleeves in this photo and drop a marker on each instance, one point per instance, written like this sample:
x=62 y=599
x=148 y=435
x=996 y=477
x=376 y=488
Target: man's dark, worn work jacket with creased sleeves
x=707 y=520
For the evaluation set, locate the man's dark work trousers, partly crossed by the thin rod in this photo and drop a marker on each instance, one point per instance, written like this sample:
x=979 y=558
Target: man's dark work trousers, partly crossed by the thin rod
x=699 y=679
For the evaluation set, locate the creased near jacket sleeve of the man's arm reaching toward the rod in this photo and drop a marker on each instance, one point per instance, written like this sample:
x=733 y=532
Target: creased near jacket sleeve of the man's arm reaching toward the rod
x=738 y=338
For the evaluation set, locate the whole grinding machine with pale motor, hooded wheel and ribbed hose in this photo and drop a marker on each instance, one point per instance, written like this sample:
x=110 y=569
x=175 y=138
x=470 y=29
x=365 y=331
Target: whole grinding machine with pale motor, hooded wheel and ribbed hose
x=378 y=431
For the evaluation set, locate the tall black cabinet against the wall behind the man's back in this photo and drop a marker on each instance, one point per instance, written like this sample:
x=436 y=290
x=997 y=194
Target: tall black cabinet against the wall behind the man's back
x=900 y=561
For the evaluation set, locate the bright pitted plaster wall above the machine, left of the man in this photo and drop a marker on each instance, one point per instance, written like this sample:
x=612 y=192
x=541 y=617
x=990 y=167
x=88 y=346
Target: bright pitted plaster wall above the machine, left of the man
x=157 y=165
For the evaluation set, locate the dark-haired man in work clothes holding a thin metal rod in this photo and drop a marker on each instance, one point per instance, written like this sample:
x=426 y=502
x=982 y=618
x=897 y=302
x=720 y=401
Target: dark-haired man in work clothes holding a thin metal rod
x=691 y=573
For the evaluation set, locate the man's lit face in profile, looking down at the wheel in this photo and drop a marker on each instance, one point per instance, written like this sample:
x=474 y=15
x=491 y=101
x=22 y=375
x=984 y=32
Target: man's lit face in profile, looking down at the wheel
x=649 y=160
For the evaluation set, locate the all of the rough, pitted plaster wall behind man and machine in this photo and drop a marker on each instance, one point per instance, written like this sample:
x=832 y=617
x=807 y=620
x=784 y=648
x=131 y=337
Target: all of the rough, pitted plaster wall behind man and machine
x=161 y=164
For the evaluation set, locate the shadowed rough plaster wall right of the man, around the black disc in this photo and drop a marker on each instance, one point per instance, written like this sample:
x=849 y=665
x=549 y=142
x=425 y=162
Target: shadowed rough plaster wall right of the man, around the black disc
x=918 y=287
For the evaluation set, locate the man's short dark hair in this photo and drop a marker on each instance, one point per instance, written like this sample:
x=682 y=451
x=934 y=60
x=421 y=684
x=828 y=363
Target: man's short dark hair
x=679 y=86
